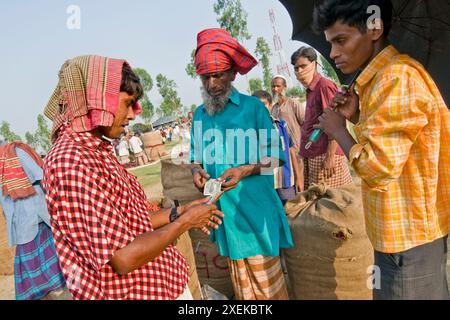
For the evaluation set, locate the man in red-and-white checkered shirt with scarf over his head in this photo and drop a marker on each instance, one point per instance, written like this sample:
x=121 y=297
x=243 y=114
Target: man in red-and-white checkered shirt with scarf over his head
x=108 y=244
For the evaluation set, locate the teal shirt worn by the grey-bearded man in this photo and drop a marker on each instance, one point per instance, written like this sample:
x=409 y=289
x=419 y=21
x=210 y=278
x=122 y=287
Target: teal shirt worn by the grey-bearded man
x=255 y=222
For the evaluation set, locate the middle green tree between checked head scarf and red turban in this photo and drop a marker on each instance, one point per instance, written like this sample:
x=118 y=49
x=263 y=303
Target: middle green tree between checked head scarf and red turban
x=171 y=104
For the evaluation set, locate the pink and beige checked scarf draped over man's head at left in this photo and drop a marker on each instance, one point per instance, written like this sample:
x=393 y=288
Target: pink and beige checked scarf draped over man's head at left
x=87 y=94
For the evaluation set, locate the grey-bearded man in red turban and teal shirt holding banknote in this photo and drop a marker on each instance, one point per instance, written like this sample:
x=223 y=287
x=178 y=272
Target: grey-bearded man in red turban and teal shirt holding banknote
x=233 y=141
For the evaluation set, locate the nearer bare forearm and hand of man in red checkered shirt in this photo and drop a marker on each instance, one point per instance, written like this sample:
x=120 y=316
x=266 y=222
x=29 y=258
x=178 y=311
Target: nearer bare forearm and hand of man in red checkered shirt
x=146 y=247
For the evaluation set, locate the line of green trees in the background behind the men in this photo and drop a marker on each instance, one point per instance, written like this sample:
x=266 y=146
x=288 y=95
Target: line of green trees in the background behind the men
x=232 y=17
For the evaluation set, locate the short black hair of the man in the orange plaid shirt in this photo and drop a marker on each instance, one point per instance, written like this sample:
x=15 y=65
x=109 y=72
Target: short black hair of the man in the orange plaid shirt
x=351 y=12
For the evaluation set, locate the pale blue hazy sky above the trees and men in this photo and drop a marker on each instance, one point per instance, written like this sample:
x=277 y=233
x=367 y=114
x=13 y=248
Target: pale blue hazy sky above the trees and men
x=157 y=35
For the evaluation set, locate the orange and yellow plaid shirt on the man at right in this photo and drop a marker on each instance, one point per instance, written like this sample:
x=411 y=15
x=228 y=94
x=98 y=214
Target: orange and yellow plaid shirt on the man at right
x=403 y=153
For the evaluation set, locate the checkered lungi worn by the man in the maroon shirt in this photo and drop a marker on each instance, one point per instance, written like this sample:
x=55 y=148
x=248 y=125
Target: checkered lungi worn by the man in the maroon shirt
x=314 y=172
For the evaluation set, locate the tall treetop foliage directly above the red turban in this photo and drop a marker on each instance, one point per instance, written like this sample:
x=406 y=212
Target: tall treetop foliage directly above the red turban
x=233 y=18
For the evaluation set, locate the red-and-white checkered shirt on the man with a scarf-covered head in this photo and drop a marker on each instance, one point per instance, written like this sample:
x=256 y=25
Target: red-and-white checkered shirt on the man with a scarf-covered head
x=96 y=208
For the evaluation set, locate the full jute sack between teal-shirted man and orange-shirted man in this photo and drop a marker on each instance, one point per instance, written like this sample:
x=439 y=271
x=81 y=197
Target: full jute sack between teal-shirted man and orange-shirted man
x=332 y=255
